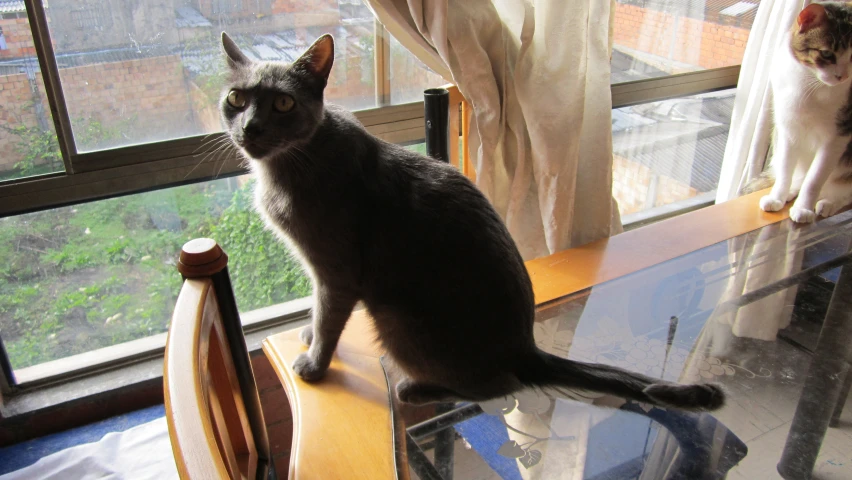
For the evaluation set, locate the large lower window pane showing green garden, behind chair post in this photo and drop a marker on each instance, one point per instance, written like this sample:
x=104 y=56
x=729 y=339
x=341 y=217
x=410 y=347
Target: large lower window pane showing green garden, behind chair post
x=78 y=278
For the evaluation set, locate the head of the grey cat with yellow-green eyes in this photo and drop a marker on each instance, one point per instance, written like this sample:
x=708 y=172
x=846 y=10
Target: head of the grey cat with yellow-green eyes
x=269 y=107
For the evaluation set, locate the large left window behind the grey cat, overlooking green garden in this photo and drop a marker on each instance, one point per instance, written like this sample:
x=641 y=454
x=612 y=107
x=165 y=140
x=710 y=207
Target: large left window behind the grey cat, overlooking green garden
x=92 y=218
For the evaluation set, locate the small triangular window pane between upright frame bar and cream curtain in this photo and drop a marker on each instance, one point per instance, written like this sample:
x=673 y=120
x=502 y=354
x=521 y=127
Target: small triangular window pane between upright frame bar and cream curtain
x=409 y=76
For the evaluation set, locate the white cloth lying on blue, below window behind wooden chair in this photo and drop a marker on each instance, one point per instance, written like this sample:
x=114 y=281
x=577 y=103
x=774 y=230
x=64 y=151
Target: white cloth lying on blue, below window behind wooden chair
x=139 y=453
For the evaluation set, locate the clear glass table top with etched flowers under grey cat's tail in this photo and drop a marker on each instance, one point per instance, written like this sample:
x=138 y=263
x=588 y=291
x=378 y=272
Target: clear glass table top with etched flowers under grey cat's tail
x=768 y=315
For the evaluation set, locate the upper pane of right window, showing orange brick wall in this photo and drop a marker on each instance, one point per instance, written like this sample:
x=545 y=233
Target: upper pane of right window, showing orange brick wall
x=655 y=38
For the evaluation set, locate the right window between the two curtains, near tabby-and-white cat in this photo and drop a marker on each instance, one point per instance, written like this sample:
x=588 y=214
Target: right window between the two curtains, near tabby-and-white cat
x=668 y=136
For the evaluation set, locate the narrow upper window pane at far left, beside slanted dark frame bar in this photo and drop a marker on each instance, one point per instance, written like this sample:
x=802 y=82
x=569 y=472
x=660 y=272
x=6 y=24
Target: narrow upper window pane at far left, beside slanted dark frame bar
x=28 y=144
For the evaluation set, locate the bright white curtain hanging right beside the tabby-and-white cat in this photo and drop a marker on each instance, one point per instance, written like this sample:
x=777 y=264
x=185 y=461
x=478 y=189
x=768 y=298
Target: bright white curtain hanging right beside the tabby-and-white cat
x=751 y=122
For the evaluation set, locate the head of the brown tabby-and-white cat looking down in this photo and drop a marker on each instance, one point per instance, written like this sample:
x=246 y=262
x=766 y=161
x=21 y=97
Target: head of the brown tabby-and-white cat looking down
x=822 y=41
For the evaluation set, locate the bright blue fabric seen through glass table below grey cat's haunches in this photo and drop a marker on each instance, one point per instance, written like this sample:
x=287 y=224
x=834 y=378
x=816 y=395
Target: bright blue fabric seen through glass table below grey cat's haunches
x=485 y=434
